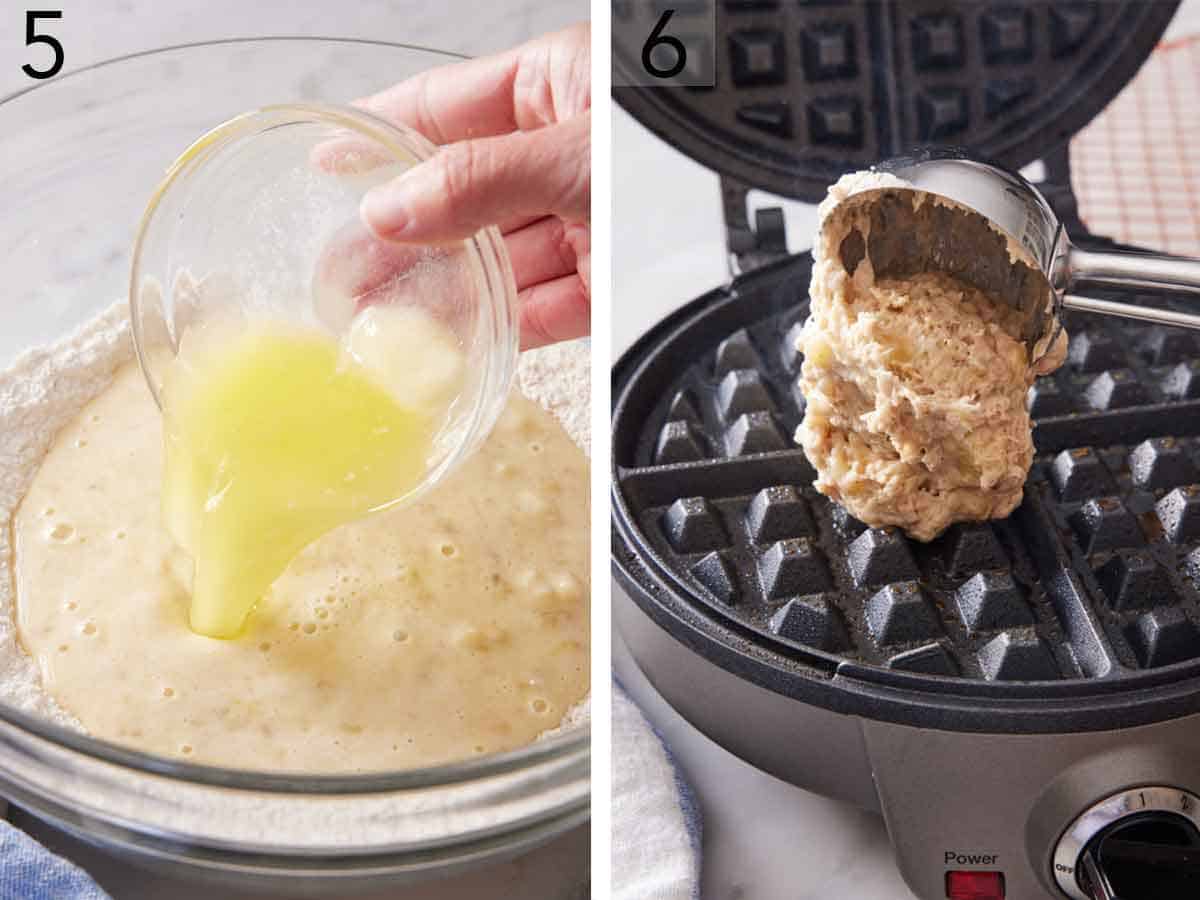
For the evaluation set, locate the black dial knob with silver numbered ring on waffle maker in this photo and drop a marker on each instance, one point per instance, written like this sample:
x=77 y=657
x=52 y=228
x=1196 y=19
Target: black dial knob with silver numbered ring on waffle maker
x=1142 y=844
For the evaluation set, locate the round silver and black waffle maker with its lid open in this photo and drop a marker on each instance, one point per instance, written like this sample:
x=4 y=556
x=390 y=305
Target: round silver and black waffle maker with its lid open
x=1021 y=700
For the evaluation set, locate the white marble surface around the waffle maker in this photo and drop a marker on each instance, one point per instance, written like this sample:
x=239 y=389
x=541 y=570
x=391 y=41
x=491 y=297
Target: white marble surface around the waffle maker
x=764 y=839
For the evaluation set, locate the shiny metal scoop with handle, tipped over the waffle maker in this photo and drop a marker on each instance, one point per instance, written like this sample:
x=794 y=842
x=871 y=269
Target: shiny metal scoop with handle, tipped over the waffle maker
x=1001 y=236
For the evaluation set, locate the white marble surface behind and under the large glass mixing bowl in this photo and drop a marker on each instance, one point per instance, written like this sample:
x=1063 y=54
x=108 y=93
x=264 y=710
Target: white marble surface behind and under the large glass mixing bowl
x=94 y=31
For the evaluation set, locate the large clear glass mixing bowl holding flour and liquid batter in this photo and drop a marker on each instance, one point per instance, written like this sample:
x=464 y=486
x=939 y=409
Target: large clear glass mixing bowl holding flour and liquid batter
x=80 y=157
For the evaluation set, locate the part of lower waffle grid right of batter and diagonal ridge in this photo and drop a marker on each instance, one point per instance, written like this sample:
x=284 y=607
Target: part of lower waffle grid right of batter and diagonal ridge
x=1125 y=503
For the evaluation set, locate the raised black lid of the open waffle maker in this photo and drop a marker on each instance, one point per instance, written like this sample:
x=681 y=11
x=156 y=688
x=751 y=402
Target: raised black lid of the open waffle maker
x=807 y=92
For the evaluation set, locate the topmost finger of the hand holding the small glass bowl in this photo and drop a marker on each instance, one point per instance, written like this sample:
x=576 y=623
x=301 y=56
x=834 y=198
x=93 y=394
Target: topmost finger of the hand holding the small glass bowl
x=539 y=83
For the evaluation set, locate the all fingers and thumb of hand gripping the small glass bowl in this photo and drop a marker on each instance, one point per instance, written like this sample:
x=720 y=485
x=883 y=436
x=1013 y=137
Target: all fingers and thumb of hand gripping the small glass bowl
x=517 y=153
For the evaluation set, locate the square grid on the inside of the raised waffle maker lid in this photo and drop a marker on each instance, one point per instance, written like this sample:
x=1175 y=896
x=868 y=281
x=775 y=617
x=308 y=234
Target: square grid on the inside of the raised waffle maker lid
x=826 y=88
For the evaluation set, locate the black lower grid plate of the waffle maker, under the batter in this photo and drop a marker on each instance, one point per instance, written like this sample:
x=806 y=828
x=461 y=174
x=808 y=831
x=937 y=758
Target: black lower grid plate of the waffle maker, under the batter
x=1099 y=572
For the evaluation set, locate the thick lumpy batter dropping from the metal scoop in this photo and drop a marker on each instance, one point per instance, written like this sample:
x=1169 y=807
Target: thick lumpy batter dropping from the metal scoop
x=916 y=392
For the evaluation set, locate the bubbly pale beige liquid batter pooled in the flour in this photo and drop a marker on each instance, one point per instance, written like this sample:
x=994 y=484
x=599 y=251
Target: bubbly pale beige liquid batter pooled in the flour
x=449 y=627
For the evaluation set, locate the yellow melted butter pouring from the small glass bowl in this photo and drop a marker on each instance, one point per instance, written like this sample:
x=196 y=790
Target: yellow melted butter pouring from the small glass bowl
x=273 y=439
